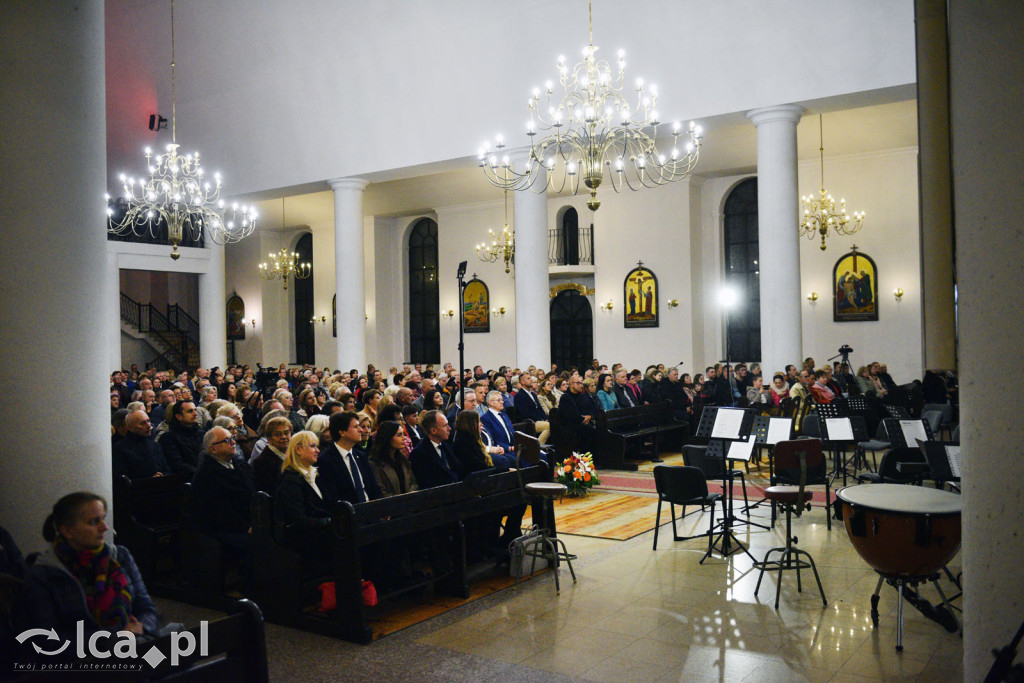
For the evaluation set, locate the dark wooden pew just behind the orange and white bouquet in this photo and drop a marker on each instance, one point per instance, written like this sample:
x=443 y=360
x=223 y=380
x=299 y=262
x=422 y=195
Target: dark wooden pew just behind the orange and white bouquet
x=624 y=432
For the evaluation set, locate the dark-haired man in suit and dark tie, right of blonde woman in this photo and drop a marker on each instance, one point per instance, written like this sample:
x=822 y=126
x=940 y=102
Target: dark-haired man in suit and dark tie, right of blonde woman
x=345 y=473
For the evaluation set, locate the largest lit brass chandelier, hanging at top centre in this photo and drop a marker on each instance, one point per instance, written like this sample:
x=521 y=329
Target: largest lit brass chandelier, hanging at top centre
x=594 y=130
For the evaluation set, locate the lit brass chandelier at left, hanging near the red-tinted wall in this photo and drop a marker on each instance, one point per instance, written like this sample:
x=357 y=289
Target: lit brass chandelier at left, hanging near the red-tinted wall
x=178 y=193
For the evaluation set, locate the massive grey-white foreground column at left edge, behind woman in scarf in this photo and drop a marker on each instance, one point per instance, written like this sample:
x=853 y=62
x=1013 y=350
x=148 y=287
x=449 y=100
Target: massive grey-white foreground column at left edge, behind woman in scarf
x=55 y=257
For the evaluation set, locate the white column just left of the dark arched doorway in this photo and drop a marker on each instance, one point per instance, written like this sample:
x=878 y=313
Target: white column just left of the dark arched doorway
x=533 y=317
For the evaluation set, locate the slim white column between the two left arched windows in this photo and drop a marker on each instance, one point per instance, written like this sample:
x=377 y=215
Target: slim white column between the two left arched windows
x=349 y=272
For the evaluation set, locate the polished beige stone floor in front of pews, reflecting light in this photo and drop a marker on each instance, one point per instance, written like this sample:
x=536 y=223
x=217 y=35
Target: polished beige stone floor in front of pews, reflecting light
x=638 y=615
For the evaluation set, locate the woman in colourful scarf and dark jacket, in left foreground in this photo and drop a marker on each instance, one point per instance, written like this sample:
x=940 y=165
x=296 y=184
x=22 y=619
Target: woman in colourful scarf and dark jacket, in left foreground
x=83 y=579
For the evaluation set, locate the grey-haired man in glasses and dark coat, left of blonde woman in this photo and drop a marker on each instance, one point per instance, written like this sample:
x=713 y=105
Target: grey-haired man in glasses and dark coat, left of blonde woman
x=223 y=491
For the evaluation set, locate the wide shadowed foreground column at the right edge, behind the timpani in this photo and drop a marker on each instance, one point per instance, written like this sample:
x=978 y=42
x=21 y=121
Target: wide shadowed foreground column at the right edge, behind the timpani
x=987 y=123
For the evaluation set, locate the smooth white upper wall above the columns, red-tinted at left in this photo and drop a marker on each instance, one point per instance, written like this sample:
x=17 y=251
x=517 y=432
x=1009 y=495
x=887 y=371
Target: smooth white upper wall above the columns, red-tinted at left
x=349 y=89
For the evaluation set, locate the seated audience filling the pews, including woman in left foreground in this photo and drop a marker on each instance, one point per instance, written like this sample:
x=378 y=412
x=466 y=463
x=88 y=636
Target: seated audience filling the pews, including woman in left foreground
x=312 y=438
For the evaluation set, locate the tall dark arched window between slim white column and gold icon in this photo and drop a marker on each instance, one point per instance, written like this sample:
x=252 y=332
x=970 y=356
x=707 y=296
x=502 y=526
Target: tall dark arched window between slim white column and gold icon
x=424 y=317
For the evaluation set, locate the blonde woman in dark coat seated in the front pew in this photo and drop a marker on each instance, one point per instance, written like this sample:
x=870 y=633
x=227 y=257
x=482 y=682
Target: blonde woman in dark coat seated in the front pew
x=298 y=504
